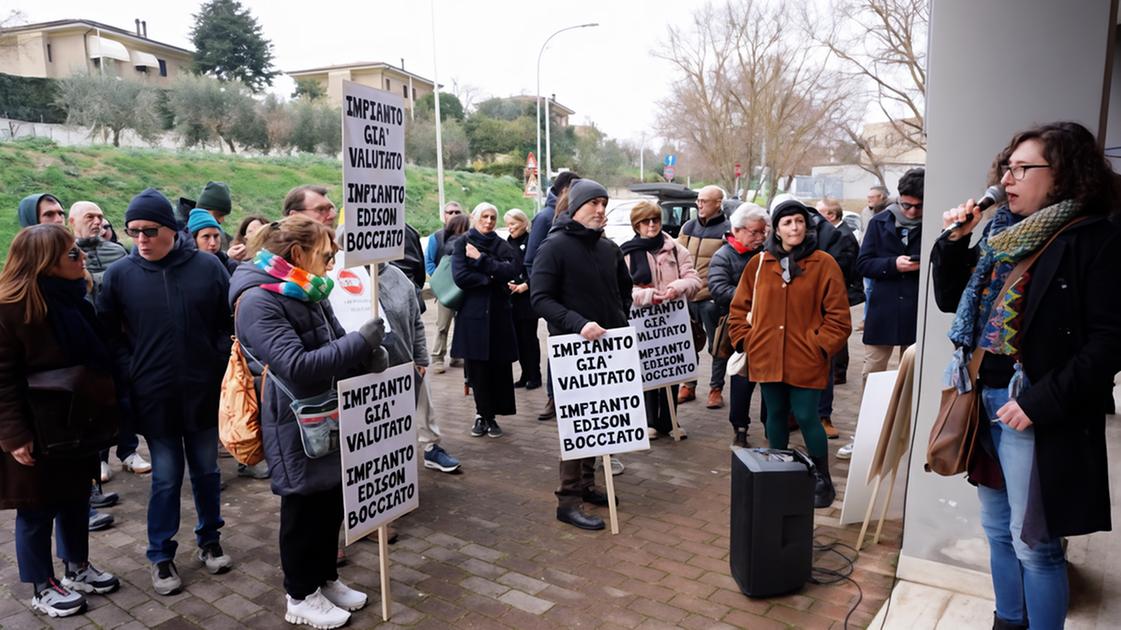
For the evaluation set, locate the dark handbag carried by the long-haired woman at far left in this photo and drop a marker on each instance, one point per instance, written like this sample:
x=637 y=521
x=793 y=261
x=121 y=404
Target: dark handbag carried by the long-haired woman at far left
x=75 y=412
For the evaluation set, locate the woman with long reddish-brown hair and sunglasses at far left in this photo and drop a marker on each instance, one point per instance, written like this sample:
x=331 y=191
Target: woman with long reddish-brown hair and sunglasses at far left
x=48 y=325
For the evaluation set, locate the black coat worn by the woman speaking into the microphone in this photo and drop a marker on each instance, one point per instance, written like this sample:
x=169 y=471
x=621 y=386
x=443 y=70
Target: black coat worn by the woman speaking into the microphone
x=1071 y=347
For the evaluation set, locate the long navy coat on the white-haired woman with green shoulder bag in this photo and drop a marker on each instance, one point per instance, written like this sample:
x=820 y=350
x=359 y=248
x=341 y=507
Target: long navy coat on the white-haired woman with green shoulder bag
x=485 y=323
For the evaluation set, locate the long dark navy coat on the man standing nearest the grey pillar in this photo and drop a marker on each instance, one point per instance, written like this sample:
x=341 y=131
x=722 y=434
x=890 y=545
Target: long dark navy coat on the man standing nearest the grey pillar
x=893 y=311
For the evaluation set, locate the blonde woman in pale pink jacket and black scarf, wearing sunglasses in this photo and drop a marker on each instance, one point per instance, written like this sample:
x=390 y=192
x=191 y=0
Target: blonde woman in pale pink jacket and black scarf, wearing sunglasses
x=662 y=271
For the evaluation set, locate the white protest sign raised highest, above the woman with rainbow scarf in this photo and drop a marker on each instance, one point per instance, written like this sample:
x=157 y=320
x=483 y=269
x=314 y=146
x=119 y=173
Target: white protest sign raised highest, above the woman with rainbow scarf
x=374 y=175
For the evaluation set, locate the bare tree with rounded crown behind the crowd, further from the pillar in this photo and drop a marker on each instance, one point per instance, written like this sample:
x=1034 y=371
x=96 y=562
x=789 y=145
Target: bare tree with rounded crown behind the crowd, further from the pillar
x=751 y=90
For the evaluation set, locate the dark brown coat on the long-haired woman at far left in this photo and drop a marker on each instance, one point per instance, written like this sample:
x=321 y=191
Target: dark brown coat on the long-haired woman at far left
x=26 y=349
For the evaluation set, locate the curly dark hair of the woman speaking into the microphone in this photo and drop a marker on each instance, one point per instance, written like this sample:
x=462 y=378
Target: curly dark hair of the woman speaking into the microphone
x=1079 y=165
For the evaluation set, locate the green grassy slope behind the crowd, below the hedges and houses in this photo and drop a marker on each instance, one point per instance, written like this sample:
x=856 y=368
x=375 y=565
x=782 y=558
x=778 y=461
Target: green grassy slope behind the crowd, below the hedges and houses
x=112 y=178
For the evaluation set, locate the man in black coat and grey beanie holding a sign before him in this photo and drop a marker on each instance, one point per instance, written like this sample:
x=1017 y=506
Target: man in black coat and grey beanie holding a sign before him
x=581 y=285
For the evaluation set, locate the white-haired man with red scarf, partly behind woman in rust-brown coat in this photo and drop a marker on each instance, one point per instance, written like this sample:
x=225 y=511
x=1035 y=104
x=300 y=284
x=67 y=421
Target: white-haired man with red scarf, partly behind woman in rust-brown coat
x=749 y=226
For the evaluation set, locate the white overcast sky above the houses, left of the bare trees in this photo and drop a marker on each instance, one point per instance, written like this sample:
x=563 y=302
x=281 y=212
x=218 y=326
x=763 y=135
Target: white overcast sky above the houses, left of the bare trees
x=607 y=75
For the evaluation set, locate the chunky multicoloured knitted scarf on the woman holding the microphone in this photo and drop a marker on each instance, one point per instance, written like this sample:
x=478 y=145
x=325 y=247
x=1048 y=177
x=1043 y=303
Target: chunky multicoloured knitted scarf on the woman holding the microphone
x=981 y=322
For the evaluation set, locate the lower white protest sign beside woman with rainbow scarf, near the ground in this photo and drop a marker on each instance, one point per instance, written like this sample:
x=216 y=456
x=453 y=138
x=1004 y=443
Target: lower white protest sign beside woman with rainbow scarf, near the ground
x=378 y=442
